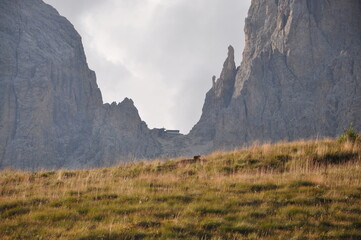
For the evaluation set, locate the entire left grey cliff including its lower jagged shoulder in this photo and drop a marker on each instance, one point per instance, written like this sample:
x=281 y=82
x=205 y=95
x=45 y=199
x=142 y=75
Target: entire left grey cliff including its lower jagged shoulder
x=51 y=109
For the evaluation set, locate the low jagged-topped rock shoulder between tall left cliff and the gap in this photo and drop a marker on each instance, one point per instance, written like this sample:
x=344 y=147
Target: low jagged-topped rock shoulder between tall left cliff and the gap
x=120 y=135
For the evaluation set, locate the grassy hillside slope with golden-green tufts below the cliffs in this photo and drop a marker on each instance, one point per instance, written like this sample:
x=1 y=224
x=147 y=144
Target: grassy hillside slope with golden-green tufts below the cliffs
x=299 y=190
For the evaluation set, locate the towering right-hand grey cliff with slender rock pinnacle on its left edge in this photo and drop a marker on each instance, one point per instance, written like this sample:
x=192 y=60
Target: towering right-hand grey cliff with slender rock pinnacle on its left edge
x=300 y=76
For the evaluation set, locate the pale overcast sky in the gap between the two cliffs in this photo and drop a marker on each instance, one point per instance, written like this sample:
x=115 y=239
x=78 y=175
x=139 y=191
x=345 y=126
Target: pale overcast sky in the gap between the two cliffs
x=160 y=53
